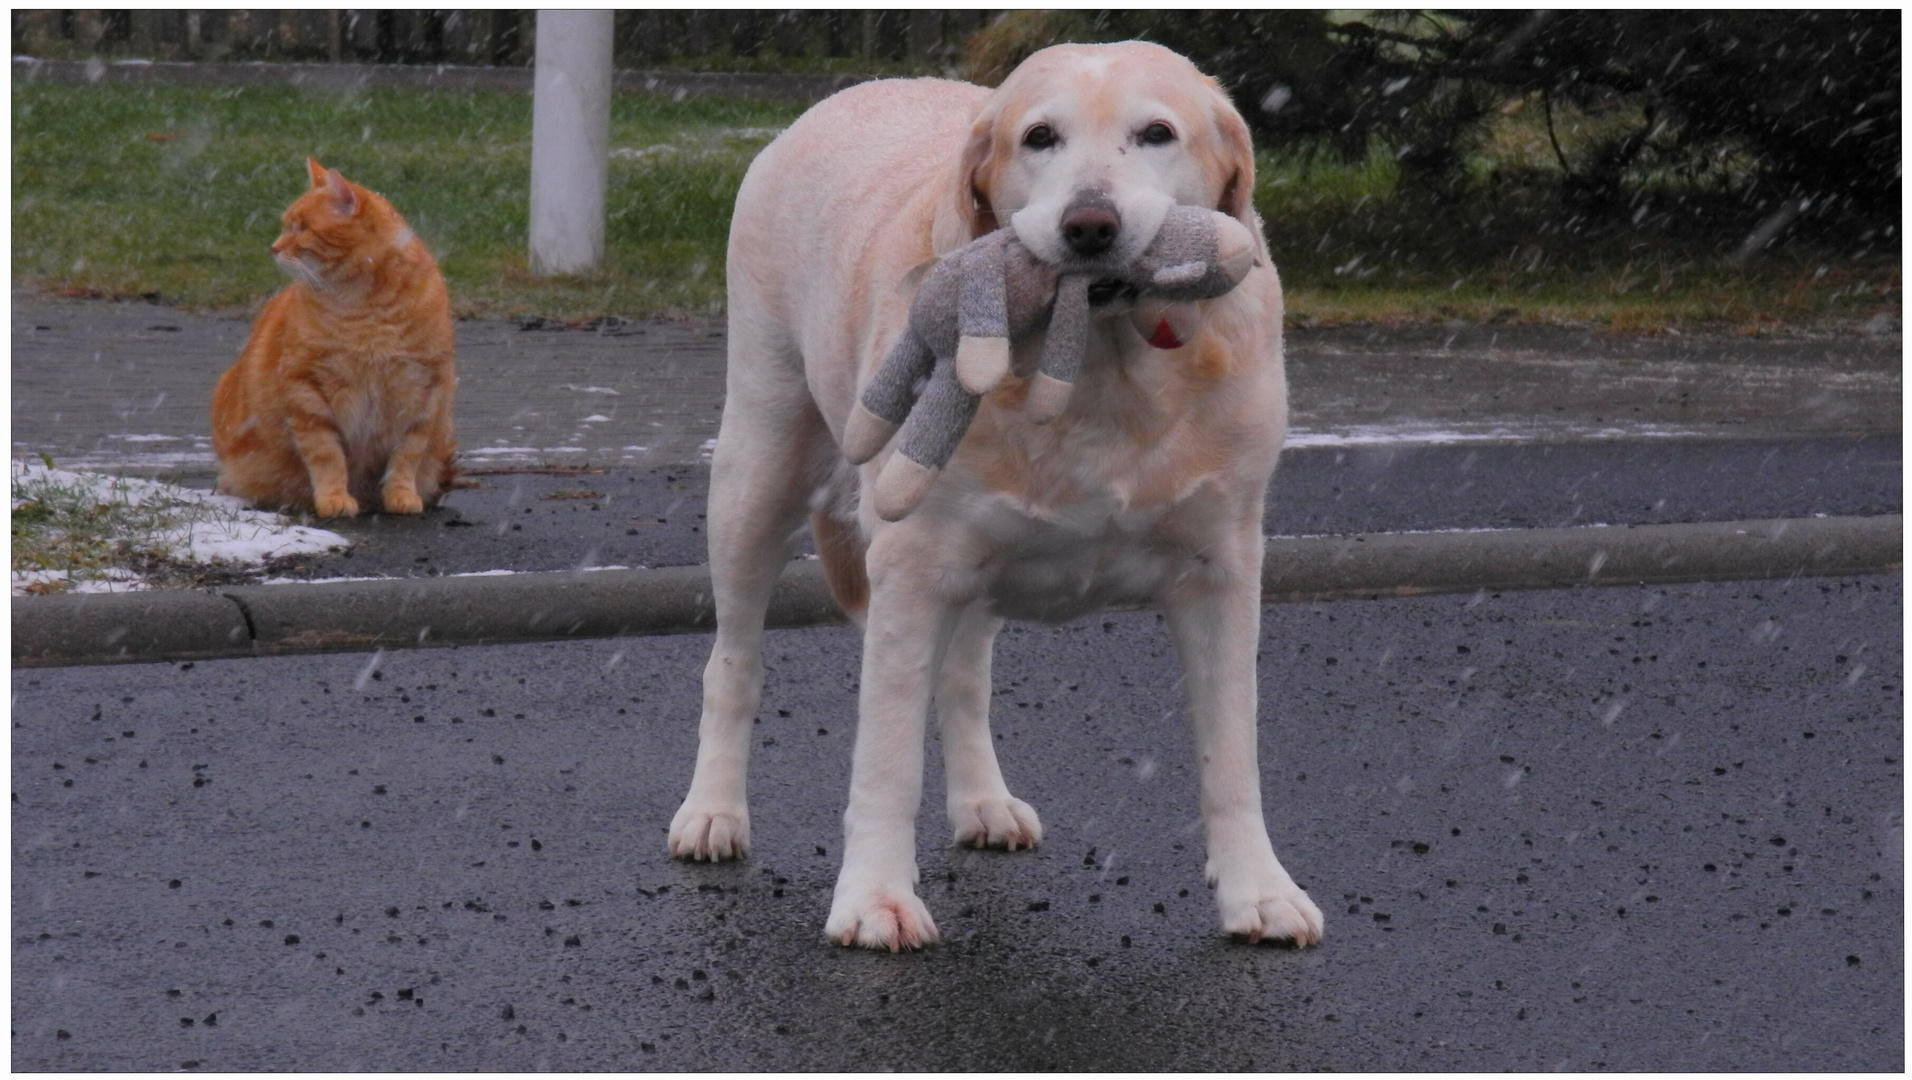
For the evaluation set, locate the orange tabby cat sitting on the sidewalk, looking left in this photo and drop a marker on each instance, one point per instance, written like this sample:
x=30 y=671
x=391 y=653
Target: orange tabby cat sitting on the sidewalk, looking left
x=343 y=393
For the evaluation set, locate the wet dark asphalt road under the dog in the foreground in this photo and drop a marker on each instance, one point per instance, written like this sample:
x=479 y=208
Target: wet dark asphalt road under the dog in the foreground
x=1619 y=829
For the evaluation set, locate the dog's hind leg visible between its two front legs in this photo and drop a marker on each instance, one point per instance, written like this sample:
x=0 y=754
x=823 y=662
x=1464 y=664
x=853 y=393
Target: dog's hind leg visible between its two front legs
x=980 y=804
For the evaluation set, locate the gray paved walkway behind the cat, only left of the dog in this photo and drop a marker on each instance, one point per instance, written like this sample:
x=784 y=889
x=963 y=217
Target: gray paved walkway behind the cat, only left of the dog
x=129 y=387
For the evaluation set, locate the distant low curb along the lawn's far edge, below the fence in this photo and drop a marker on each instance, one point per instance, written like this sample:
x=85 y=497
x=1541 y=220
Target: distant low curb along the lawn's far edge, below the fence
x=425 y=77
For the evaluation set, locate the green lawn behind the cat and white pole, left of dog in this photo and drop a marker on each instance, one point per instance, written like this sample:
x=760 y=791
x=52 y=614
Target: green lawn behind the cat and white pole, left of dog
x=133 y=190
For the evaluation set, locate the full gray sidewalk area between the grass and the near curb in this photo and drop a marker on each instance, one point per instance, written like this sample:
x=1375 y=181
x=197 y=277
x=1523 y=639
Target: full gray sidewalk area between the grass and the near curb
x=588 y=446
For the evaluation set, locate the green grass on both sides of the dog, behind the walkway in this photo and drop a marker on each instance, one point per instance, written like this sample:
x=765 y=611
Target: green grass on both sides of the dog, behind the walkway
x=133 y=190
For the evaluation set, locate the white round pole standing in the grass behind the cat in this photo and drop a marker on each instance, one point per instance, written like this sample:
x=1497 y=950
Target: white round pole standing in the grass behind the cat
x=571 y=140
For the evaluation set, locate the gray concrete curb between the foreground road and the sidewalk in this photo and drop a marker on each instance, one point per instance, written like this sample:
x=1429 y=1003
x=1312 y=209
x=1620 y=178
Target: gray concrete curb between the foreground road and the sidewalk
x=269 y=620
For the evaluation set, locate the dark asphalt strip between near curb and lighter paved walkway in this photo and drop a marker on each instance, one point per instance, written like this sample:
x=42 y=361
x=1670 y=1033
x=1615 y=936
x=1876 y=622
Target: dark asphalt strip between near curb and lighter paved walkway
x=655 y=517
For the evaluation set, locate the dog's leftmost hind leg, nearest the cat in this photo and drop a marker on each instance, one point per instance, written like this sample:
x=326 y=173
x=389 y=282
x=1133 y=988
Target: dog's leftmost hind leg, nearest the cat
x=771 y=452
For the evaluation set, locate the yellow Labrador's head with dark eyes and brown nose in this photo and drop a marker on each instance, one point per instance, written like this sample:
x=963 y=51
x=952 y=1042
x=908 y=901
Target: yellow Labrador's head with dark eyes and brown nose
x=1085 y=148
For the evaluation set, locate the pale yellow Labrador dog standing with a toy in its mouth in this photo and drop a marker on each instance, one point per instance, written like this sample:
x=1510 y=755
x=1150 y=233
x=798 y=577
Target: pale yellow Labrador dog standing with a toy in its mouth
x=1146 y=490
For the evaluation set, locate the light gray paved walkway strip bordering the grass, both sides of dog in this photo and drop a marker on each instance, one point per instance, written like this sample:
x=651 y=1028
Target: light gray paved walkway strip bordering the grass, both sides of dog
x=127 y=387
